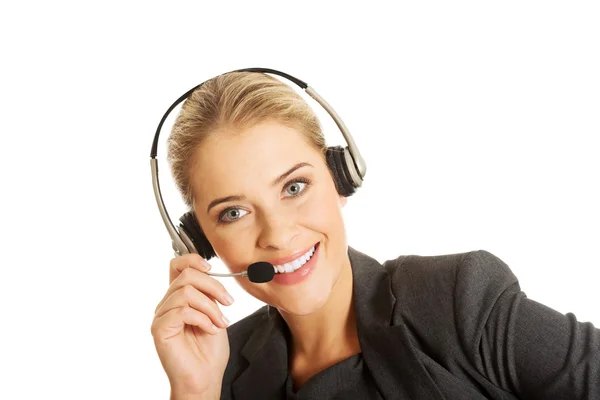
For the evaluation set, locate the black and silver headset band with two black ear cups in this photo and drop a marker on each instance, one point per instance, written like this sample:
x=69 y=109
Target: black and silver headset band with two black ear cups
x=347 y=167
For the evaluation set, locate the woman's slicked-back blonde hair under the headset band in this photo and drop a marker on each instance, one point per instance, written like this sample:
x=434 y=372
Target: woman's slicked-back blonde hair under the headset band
x=234 y=101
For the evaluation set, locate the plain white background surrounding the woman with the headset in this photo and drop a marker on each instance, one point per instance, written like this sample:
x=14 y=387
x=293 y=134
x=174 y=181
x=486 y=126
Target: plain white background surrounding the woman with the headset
x=479 y=124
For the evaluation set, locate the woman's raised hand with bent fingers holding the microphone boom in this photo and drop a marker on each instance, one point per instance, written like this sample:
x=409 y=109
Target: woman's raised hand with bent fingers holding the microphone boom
x=189 y=330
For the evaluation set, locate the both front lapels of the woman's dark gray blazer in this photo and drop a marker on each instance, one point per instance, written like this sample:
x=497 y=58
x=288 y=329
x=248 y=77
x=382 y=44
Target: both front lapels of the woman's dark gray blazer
x=386 y=348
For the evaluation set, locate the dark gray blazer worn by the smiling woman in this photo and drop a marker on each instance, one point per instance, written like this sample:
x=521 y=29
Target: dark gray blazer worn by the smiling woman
x=450 y=327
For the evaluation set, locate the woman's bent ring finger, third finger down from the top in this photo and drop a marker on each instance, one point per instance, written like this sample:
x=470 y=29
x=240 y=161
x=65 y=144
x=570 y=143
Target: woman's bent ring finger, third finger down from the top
x=189 y=296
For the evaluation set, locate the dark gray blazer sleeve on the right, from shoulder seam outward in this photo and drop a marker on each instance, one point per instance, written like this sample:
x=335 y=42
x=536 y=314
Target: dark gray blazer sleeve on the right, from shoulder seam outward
x=519 y=344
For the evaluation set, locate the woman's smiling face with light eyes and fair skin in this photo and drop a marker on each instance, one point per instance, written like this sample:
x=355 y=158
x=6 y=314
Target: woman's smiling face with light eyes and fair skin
x=269 y=221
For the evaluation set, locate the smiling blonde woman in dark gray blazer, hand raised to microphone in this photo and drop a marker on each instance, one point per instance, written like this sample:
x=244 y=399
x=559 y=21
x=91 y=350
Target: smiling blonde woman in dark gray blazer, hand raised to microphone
x=337 y=324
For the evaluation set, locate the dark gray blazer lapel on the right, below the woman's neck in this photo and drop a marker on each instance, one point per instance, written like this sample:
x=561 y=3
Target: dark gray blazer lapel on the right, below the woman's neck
x=386 y=348
